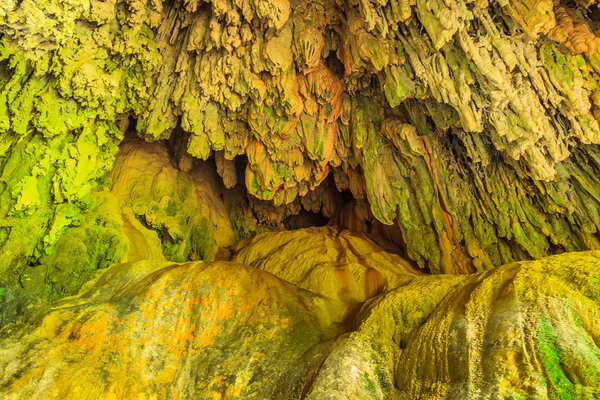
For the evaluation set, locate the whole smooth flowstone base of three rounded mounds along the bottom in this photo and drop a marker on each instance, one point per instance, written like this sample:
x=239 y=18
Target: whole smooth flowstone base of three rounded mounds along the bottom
x=226 y=330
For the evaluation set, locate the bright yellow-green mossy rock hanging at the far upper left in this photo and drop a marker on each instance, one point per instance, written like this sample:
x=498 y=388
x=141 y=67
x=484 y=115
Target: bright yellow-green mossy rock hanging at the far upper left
x=60 y=138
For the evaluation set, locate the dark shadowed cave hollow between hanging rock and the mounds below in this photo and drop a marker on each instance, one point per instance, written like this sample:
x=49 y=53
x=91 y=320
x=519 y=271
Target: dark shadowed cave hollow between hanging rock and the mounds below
x=326 y=205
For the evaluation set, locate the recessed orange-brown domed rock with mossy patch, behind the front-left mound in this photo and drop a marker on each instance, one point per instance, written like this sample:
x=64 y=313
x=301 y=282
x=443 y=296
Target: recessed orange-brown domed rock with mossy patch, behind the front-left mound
x=182 y=207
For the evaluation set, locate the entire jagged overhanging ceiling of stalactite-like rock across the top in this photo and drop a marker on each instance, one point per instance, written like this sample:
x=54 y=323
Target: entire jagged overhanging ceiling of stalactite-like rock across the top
x=470 y=125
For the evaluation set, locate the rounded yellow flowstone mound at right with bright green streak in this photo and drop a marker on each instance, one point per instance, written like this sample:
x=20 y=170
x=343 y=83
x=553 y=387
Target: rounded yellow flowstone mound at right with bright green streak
x=524 y=331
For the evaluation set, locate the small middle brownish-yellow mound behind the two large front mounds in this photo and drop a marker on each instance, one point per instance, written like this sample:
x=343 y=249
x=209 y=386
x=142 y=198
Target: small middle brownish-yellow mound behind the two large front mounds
x=344 y=267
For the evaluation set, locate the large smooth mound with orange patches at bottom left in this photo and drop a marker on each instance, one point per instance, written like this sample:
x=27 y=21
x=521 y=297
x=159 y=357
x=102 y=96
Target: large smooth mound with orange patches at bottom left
x=157 y=330
